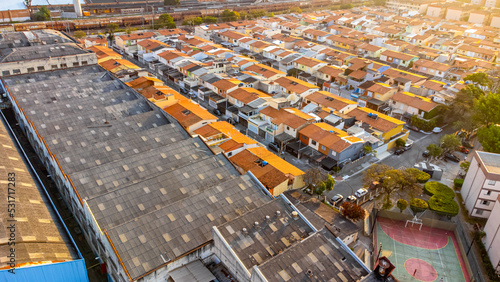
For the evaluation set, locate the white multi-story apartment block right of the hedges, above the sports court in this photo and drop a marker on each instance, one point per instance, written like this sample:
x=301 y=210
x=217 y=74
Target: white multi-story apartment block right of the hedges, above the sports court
x=481 y=186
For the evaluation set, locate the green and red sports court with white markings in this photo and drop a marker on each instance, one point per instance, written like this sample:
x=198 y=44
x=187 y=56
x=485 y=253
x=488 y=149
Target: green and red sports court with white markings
x=434 y=253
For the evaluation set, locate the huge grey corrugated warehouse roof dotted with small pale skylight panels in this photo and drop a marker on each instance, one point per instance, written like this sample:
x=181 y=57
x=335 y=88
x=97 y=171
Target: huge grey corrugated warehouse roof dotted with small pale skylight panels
x=154 y=190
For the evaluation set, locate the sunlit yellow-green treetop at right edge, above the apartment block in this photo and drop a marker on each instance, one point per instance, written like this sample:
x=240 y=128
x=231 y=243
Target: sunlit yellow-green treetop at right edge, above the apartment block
x=487 y=109
